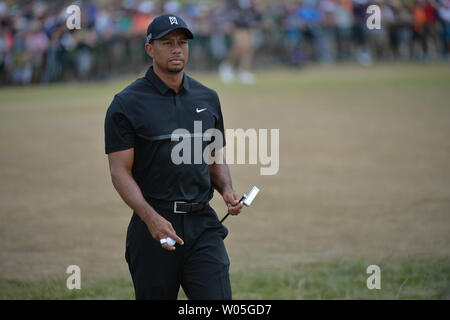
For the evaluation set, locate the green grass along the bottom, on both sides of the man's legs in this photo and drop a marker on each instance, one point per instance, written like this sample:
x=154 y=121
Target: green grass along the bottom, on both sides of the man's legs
x=405 y=279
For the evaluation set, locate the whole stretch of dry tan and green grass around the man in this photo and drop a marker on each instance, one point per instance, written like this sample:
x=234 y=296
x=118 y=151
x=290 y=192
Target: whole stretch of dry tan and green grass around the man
x=364 y=178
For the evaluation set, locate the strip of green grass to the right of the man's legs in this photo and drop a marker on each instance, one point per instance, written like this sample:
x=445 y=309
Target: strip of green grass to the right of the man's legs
x=406 y=279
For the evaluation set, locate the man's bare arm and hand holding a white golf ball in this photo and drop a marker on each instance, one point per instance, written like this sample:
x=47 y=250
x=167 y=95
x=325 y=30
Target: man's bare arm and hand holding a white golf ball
x=120 y=164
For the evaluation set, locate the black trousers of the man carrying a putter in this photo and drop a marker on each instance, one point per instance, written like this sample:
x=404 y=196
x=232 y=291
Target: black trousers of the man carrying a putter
x=200 y=266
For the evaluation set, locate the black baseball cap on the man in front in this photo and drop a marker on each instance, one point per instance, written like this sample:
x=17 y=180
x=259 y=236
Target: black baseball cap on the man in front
x=163 y=24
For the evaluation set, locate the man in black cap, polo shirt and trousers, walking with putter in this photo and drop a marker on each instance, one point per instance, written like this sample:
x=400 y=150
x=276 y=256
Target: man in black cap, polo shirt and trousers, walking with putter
x=170 y=199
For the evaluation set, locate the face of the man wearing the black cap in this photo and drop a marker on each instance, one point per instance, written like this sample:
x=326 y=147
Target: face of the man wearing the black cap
x=171 y=52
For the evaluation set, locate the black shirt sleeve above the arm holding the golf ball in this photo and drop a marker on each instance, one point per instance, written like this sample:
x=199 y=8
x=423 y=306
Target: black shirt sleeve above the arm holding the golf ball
x=119 y=132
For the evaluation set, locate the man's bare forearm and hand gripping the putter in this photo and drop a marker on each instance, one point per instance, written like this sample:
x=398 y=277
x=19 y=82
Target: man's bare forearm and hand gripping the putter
x=221 y=180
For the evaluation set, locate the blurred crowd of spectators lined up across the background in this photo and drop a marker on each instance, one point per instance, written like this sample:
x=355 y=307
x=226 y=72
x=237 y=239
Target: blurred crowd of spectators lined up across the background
x=36 y=46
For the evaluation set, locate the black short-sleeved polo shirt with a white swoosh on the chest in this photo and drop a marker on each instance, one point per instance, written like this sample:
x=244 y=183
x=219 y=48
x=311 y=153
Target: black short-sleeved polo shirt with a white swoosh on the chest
x=144 y=115
